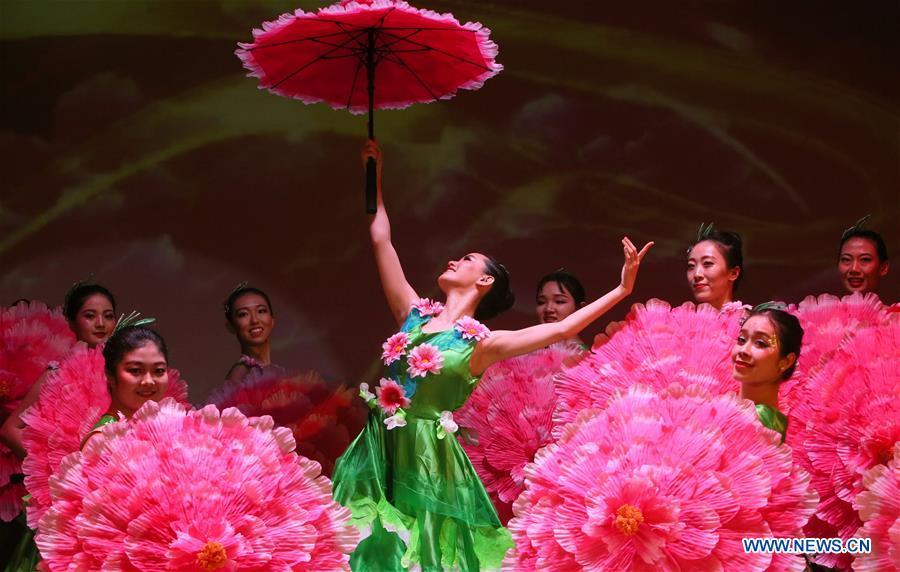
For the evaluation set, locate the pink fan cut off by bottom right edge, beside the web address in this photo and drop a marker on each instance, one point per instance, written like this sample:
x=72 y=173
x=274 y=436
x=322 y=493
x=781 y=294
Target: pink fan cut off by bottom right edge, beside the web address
x=879 y=509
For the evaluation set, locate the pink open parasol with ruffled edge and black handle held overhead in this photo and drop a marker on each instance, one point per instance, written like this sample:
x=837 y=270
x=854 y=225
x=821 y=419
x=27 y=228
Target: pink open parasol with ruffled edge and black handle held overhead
x=418 y=56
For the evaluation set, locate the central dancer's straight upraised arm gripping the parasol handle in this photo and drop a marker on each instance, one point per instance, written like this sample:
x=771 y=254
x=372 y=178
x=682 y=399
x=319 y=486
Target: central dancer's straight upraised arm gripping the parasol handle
x=399 y=294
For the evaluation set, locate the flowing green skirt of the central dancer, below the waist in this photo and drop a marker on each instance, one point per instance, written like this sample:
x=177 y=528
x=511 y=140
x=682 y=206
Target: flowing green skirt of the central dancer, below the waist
x=422 y=498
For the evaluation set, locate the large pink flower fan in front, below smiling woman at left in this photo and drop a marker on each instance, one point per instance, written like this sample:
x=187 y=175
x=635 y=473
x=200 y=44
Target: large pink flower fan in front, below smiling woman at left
x=179 y=490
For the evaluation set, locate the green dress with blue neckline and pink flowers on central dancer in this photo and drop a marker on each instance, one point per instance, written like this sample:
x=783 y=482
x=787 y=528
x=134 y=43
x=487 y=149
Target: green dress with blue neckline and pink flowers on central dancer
x=414 y=484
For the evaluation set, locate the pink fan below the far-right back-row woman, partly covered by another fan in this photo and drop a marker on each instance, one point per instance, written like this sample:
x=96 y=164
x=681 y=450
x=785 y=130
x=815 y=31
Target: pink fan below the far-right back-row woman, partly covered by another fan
x=828 y=322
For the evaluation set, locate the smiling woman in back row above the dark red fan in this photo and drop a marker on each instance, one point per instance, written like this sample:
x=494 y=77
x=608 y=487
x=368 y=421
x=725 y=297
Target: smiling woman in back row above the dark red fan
x=249 y=316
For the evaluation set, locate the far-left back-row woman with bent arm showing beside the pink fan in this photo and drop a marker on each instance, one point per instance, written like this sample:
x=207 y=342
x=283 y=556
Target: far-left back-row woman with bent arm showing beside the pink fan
x=90 y=310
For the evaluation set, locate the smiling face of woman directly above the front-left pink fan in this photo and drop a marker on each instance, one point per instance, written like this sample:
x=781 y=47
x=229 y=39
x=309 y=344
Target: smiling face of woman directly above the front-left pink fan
x=140 y=376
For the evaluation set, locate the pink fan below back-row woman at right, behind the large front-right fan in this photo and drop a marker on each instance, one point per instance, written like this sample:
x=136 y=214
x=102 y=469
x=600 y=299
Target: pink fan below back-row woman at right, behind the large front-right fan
x=656 y=345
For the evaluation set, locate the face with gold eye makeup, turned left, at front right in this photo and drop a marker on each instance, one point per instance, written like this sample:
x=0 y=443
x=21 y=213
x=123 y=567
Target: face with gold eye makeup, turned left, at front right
x=756 y=355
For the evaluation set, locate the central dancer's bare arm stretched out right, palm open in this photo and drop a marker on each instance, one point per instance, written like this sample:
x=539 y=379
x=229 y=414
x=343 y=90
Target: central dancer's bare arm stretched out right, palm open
x=503 y=344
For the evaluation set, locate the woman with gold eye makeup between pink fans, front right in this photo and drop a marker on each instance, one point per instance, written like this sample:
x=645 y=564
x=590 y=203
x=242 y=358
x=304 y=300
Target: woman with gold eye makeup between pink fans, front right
x=764 y=355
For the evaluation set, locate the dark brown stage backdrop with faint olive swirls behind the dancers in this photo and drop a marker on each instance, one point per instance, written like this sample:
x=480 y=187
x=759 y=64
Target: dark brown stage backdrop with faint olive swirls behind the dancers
x=135 y=151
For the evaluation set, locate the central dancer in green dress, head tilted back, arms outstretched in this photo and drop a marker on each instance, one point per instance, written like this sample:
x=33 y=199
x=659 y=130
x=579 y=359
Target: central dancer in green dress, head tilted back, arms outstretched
x=405 y=475
